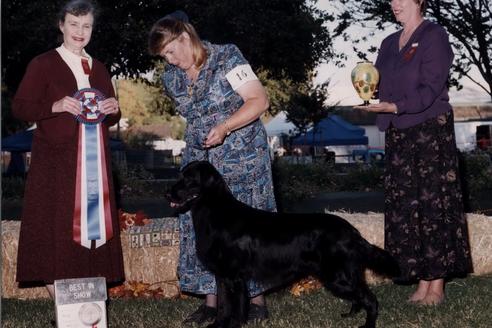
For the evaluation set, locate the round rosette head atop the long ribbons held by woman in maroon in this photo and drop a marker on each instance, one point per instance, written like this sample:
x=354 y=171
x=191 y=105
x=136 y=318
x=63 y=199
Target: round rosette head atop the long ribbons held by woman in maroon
x=89 y=106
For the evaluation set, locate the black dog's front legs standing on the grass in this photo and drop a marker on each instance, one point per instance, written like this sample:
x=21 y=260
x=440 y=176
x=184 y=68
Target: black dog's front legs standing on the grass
x=232 y=303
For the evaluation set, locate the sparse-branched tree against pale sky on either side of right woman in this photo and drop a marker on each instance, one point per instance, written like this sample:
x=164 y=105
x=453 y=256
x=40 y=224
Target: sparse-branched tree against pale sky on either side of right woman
x=469 y=22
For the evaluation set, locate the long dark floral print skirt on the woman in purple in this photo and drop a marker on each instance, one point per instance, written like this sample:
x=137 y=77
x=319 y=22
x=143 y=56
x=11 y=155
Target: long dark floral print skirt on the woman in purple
x=425 y=226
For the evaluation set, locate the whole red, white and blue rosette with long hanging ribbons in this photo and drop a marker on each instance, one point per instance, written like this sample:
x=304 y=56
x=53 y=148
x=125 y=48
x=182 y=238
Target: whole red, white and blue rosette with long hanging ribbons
x=92 y=220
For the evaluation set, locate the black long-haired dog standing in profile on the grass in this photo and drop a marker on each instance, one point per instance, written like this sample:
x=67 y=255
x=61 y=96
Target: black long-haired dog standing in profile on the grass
x=237 y=243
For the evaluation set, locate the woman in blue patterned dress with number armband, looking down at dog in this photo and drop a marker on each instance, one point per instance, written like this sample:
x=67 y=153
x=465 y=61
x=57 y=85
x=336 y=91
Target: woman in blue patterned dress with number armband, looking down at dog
x=216 y=91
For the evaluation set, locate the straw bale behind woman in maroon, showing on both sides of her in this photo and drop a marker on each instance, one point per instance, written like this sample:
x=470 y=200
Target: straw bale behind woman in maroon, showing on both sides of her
x=150 y=256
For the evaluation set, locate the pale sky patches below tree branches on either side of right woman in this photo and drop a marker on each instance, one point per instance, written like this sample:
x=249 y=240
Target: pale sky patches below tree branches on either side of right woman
x=341 y=90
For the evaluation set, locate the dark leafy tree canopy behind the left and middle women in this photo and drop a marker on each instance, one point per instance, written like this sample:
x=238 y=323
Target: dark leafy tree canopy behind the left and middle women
x=284 y=39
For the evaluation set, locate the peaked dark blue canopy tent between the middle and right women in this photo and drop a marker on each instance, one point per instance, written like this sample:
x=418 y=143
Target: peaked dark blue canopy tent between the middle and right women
x=333 y=131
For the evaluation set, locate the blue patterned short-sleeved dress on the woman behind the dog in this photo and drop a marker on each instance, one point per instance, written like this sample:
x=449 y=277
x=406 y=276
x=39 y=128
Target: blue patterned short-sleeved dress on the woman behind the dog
x=243 y=159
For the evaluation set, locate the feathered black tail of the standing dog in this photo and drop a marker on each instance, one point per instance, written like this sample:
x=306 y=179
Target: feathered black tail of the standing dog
x=380 y=261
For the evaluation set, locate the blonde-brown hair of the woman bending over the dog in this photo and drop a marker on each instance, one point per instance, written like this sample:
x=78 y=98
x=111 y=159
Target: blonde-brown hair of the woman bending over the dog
x=167 y=30
